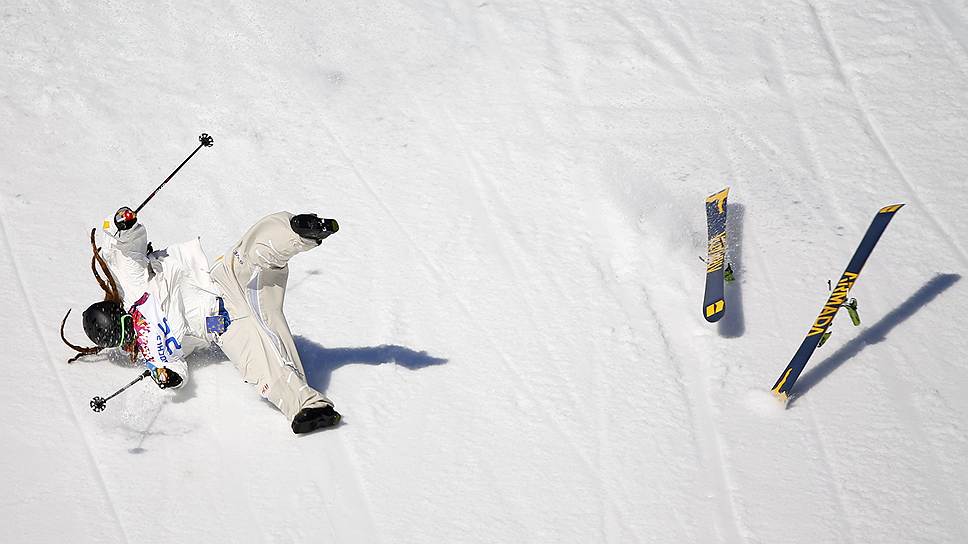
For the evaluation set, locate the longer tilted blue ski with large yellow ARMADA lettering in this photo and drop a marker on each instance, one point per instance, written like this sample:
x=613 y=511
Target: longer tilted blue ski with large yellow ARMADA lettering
x=790 y=374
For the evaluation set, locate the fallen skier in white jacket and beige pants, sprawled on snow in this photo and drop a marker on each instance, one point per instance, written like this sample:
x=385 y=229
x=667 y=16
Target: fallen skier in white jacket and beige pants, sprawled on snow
x=176 y=303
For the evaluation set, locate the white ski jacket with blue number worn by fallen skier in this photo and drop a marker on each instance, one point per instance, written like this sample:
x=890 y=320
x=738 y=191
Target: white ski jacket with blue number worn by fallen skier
x=172 y=291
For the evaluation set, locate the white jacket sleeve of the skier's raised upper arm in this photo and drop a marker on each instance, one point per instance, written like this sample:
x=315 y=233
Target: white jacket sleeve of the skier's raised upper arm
x=126 y=255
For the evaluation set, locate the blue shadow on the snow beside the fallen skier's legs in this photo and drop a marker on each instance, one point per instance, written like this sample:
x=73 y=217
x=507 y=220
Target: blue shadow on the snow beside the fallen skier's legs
x=320 y=362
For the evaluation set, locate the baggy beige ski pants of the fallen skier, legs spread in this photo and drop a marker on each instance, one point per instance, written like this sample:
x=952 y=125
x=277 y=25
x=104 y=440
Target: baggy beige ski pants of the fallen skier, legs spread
x=252 y=276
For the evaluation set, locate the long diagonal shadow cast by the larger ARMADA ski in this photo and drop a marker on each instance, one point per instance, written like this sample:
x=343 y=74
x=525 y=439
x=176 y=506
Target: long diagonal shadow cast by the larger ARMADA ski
x=876 y=333
